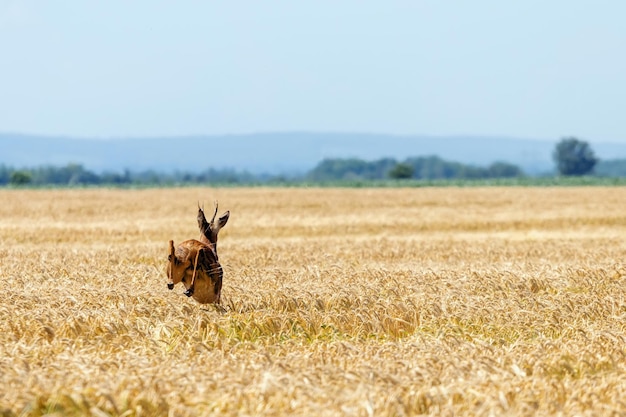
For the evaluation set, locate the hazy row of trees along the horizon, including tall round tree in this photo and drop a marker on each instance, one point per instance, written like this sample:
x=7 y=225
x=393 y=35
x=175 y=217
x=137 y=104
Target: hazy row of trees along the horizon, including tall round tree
x=572 y=157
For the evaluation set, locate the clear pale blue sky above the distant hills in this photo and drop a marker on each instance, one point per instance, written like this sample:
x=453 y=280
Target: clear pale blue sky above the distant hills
x=540 y=69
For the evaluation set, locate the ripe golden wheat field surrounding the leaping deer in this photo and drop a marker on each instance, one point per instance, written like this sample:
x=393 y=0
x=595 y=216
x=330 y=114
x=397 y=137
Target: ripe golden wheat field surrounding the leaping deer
x=336 y=302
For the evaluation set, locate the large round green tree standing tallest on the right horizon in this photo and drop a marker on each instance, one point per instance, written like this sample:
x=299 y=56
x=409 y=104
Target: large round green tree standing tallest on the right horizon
x=574 y=157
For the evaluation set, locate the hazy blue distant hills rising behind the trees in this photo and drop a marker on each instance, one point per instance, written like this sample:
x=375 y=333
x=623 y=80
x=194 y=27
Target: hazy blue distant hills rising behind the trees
x=274 y=153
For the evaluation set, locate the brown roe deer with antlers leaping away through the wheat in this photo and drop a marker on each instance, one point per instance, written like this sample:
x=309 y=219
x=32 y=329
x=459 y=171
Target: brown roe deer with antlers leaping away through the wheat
x=195 y=262
